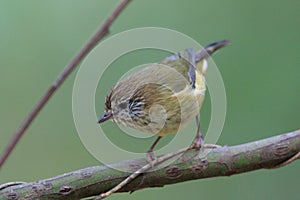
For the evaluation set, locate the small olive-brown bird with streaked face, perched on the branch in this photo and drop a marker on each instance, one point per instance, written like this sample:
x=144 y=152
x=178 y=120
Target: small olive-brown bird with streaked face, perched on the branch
x=164 y=97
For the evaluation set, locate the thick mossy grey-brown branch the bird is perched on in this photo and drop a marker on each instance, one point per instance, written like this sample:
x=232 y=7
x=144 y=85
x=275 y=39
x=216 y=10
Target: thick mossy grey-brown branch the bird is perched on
x=225 y=161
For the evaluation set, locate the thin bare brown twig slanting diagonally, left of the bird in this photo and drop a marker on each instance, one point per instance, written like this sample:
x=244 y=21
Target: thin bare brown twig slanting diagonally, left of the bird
x=99 y=35
